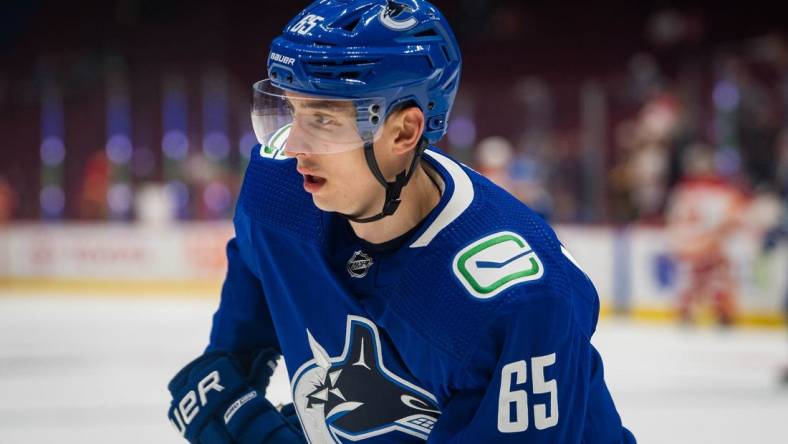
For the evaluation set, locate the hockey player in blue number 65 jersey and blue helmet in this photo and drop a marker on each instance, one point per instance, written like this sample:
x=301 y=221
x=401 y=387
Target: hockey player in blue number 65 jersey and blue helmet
x=412 y=299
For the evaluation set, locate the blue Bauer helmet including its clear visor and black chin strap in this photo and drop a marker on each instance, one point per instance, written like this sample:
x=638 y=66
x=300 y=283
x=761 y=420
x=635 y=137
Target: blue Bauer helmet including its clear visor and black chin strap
x=341 y=66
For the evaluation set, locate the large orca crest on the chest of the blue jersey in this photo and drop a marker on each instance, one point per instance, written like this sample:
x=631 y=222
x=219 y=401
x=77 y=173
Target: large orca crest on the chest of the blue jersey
x=354 y=396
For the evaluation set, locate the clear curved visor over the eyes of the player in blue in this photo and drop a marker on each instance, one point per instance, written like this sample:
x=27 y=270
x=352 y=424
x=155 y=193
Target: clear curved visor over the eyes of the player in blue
x=321 y=125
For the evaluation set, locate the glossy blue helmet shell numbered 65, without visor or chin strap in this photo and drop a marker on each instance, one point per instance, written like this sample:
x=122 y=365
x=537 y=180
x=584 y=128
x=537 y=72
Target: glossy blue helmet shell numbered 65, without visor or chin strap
x=381 y=52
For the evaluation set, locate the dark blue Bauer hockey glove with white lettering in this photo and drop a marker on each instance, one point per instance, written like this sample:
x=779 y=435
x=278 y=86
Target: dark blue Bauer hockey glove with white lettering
x=213 y=403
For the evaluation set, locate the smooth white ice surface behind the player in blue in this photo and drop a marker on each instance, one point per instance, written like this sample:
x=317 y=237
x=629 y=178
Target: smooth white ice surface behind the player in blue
x=94 y=370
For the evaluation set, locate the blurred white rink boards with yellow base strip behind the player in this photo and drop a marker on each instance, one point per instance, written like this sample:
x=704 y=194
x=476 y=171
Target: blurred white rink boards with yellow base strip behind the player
x=632 y=268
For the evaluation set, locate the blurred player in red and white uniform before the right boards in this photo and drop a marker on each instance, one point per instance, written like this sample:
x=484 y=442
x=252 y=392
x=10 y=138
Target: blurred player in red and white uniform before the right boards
x=703 y=210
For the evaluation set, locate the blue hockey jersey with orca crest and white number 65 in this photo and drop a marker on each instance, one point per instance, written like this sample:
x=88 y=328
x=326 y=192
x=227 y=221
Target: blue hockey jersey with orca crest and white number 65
x=475 y=330
